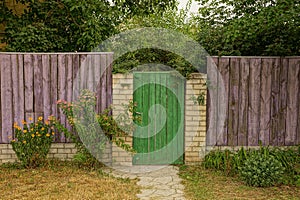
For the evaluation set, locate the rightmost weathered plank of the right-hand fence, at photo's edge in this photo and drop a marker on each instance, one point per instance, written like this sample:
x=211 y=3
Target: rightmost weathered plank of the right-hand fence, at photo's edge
x=292 y=114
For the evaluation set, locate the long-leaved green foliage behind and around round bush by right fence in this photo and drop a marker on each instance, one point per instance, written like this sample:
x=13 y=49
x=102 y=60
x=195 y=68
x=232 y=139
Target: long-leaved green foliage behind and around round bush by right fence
x=230 y=162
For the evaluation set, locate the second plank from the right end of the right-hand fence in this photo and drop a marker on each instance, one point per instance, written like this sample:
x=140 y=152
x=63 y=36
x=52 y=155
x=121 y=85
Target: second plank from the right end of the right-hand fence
x=275 y=99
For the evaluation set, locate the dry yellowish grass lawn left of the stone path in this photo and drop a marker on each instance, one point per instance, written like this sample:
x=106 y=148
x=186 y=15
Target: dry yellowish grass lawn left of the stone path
x=63 y=180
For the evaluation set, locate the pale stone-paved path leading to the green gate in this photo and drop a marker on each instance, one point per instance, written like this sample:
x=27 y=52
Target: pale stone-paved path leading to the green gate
x=157 y=182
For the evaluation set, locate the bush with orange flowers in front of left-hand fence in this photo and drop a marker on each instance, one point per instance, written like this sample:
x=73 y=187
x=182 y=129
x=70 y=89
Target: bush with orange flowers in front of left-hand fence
x=33 y=141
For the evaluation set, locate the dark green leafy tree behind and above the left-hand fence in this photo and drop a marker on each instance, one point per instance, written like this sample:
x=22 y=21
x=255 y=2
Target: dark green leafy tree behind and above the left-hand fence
x=67 y=25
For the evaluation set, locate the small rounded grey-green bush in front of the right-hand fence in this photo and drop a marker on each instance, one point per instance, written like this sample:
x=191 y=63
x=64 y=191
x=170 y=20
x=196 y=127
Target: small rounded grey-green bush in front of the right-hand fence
x=261 y=170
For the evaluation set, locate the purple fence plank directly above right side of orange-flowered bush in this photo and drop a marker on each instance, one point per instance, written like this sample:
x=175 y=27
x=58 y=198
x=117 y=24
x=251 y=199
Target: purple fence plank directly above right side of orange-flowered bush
x=46 y=85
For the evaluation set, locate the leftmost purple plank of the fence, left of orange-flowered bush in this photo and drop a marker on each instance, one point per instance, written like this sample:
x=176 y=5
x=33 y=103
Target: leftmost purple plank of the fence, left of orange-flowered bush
x=6 y=98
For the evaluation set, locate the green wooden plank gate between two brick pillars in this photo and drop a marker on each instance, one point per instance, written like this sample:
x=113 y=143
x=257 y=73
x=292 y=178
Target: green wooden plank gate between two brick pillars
x=159 y=138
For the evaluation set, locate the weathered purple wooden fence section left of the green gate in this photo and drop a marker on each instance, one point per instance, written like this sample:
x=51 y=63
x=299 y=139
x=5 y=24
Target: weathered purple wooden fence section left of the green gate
x=31 y=84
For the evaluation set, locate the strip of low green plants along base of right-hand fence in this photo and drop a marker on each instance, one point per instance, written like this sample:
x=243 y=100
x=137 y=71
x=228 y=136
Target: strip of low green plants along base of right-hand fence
x=255 y=162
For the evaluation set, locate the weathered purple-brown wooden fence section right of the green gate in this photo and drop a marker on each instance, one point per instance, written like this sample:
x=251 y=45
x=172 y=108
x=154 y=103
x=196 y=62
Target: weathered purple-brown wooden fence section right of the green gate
x=261 y=100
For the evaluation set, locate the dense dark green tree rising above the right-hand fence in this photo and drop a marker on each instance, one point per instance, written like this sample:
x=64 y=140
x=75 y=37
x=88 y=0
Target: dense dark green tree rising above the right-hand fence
x=249 y=27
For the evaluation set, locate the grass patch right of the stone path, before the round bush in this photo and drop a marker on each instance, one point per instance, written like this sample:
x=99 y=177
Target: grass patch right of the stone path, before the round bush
x=206 y=184
